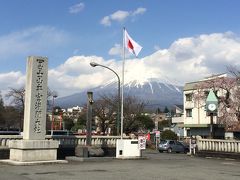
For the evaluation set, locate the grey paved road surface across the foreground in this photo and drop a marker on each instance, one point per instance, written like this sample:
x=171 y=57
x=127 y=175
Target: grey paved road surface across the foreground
x=157 y=166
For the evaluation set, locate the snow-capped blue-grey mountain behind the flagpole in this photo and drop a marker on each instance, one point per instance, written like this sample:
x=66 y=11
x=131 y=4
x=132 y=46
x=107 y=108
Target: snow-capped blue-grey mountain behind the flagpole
x=153 y=92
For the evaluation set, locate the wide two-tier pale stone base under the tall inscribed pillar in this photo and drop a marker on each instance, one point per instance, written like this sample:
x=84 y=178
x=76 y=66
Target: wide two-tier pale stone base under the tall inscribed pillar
x=24 y=152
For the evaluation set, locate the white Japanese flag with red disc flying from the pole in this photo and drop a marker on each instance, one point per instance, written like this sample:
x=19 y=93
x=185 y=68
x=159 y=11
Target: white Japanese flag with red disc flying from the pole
x=131 y=45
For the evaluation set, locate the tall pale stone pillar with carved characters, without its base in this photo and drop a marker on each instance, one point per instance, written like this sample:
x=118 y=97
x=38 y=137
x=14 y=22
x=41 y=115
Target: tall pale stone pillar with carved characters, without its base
x=36 y=98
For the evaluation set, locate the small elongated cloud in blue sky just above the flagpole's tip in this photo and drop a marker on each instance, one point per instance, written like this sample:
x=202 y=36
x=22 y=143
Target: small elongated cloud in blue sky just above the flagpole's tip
x=121 y=16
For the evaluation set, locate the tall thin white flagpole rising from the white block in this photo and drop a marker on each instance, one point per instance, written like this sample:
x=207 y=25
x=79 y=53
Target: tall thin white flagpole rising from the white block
x=123 y=63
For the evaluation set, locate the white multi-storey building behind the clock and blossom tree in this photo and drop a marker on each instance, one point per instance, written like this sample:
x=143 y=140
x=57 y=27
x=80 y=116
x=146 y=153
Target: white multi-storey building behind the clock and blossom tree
x=196 y=119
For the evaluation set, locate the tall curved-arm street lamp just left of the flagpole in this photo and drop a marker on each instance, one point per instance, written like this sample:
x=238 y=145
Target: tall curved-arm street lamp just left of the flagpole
x=93 y=64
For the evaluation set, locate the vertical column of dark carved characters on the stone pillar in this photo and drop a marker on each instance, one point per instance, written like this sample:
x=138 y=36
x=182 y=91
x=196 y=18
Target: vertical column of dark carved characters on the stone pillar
x=38 y=107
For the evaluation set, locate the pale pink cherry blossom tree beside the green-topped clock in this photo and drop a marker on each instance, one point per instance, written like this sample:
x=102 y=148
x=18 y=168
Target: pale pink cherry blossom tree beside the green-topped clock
x=228 y=94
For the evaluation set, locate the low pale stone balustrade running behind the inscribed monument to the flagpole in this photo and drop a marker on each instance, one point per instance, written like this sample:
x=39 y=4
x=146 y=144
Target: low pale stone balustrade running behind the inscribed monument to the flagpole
x=68 y=140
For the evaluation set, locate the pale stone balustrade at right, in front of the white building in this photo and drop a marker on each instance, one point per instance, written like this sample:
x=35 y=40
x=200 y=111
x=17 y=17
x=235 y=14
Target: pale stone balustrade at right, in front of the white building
x=218 y=145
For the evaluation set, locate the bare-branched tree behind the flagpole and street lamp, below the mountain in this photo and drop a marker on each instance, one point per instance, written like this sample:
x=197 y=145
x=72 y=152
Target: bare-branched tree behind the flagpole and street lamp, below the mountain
x=105 y=109
